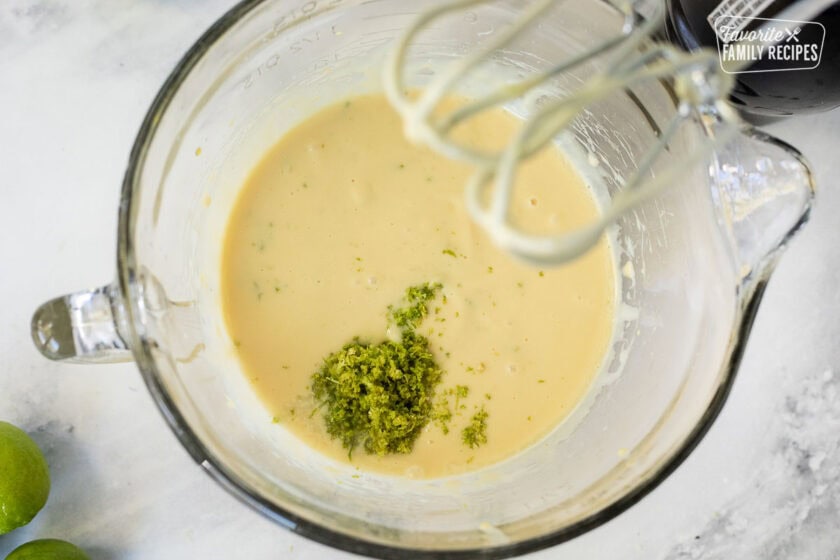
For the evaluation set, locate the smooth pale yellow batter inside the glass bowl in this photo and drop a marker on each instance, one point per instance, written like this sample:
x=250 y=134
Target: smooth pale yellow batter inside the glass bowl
x=343 y=214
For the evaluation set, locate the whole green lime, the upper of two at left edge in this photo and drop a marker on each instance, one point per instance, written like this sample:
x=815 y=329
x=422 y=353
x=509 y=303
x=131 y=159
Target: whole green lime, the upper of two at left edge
x=24 y=478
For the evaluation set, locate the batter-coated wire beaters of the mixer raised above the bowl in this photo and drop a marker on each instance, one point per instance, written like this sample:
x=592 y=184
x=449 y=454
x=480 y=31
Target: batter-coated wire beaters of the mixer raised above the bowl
x=631 y=57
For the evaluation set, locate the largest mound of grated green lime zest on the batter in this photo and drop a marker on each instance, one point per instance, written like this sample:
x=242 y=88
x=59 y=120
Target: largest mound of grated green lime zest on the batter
x=379 y=395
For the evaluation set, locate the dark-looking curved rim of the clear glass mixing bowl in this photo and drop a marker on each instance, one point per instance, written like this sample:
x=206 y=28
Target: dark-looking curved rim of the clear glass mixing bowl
x=127 y=270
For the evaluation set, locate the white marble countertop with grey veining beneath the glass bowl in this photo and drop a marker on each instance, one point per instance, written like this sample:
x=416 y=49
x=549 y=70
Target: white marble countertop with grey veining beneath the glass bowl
x=76 y=77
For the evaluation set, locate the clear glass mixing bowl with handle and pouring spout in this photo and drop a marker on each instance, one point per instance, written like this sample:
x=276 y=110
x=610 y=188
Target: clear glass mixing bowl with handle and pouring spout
x=693 y=265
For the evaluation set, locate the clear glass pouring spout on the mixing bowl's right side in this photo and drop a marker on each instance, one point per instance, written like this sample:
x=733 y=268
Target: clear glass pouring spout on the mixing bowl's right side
x=763 y=189
